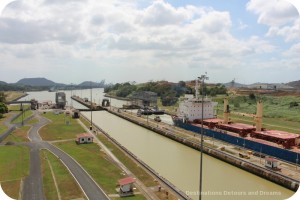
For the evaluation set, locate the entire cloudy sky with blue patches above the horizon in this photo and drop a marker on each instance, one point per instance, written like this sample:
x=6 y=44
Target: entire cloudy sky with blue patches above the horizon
x=71 y=41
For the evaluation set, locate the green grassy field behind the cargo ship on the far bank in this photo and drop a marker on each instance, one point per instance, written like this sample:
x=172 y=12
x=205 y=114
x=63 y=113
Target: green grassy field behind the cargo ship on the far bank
x=277 y=113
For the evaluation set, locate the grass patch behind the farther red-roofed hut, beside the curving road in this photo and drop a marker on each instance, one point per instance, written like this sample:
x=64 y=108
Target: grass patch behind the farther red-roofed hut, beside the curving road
x=58 y=129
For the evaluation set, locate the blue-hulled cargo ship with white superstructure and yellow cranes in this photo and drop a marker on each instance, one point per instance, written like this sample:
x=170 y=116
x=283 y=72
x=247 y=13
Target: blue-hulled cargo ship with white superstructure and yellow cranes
x=280 y=144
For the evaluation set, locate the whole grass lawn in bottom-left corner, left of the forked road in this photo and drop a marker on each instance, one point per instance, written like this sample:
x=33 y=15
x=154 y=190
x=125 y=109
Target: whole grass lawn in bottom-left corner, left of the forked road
x=14 y=166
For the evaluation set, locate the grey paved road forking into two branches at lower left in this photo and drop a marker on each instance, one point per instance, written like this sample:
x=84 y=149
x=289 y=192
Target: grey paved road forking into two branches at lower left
x=33 y=189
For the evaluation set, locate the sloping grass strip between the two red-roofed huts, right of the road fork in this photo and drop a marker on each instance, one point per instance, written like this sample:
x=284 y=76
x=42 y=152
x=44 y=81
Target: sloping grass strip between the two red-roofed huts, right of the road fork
x=96 y=163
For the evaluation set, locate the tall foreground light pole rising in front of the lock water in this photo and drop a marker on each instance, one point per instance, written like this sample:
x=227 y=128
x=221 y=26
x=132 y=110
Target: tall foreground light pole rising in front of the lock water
x=201 y=78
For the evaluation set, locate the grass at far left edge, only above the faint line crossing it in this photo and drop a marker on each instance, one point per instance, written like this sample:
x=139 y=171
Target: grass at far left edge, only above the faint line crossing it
x=14 y=162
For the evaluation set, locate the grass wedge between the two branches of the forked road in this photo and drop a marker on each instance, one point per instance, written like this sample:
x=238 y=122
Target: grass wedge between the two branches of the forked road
x=67 y=186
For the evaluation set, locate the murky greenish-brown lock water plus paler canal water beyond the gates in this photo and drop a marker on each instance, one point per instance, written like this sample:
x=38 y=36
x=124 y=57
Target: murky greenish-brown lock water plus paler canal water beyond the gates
x=176 y=162
